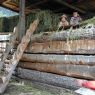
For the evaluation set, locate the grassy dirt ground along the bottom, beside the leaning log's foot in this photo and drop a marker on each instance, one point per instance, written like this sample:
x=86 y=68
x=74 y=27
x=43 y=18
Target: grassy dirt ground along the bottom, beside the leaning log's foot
x=24 y=88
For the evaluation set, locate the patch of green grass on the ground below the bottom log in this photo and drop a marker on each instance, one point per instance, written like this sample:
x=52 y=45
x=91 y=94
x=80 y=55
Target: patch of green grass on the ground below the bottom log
x=18 y=88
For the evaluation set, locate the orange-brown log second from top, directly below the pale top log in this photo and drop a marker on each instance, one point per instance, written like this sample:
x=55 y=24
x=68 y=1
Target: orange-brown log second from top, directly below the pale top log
x=72 y=47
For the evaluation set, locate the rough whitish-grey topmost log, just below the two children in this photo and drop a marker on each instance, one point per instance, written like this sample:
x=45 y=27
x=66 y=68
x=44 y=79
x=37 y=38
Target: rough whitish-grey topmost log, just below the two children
x=64 y=35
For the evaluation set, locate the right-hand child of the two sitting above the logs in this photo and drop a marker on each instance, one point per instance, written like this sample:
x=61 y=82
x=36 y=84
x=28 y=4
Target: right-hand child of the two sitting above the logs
x=75 y=20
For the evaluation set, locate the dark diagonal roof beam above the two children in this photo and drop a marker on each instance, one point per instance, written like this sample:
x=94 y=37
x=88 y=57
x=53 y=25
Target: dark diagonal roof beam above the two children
x=70 y=6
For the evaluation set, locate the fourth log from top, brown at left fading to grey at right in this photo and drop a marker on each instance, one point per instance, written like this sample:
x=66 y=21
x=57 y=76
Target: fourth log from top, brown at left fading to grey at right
x=80 y=71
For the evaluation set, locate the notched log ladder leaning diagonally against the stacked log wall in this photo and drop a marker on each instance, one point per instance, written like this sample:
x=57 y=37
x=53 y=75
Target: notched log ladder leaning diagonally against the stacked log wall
x=7 y=73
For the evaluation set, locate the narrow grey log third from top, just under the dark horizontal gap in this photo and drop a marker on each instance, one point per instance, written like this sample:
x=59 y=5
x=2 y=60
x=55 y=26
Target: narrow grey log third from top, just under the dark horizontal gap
x=52 y=58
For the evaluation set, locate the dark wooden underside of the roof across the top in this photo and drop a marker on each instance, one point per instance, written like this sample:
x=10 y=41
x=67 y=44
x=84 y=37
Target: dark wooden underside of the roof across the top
x=63 y=6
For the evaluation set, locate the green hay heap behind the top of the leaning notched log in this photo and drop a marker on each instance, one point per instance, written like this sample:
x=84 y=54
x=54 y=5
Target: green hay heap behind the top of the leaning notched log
x=48 y=21
